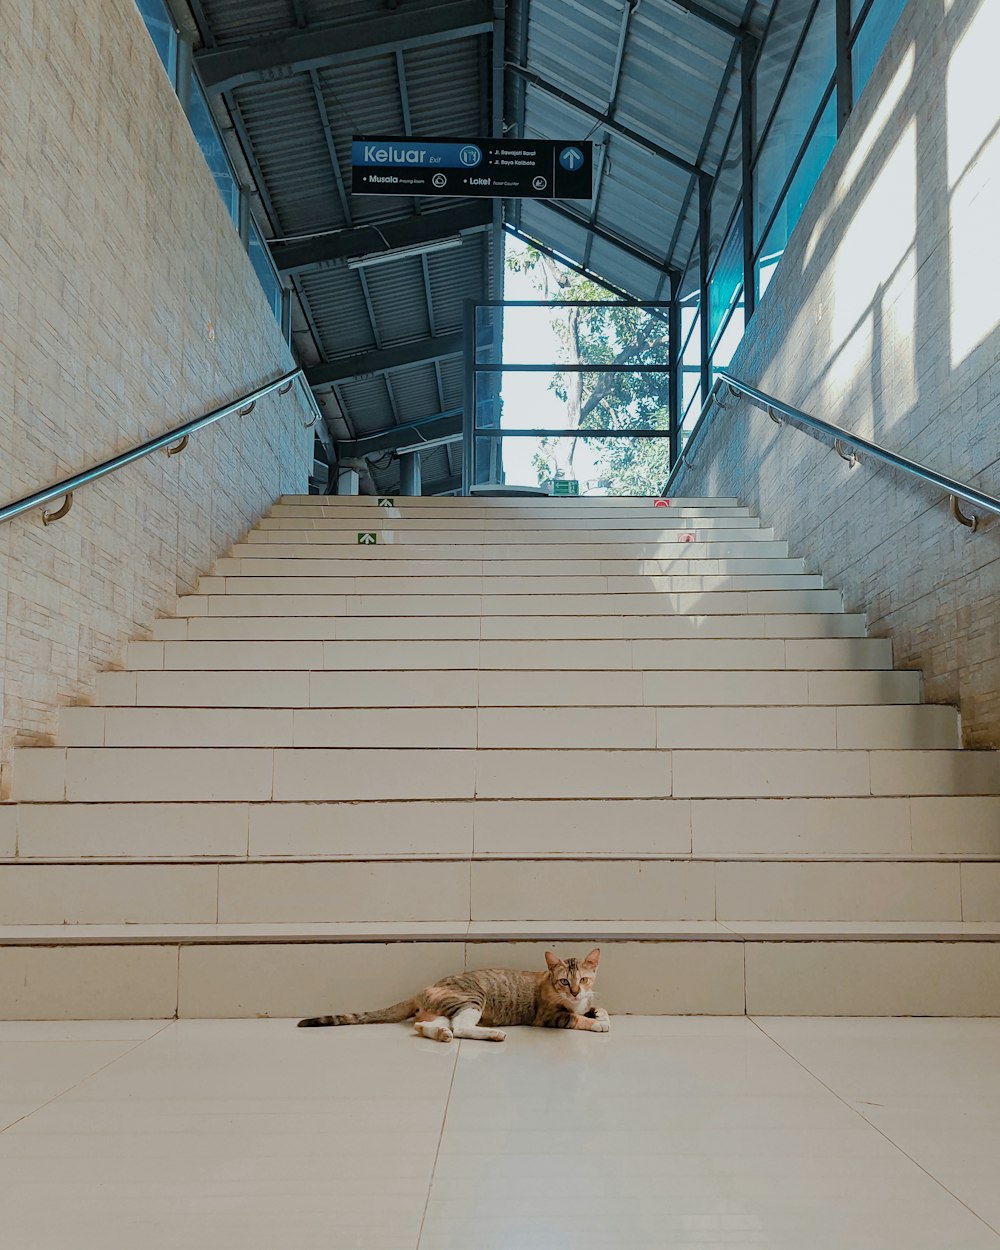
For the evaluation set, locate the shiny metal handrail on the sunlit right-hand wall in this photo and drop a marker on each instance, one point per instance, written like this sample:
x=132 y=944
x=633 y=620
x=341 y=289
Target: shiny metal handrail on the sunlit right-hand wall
x=779 y=413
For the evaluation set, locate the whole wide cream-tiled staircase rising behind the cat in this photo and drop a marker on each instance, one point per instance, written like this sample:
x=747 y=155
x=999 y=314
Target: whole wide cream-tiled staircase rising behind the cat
x=346 y=769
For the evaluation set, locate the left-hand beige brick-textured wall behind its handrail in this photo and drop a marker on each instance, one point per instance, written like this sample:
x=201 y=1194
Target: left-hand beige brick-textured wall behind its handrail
x=127 y=307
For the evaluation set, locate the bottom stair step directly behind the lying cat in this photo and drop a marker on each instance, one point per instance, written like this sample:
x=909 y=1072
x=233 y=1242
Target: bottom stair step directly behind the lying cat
x=239 y=972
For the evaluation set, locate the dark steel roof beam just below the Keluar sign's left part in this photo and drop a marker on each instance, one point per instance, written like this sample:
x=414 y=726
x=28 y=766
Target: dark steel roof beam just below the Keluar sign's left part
x=328 y=251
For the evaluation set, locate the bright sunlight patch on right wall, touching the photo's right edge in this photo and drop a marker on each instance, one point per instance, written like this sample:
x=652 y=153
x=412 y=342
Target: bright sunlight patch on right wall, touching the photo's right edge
x=974 y=182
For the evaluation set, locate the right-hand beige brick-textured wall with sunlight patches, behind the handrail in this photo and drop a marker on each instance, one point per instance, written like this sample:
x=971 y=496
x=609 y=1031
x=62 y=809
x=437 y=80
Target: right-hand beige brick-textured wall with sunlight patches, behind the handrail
x=884 y=317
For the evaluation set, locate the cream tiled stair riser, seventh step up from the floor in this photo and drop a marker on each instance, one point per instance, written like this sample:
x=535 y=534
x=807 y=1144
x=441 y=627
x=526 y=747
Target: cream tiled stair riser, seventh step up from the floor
x=602 y=656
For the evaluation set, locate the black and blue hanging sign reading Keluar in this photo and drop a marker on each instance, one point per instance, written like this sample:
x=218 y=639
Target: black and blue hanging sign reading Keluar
x=541 y=169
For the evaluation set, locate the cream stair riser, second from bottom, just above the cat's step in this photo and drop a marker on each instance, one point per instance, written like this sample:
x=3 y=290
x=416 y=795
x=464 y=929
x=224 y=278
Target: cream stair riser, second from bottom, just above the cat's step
x=498 y=889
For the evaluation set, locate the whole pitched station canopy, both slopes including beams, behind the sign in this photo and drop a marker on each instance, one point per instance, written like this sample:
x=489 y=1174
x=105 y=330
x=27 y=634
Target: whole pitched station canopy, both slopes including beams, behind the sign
x=379 y=282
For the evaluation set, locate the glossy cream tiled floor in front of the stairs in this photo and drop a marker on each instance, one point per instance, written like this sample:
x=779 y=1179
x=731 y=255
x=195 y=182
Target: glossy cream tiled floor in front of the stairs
x=791 y=1134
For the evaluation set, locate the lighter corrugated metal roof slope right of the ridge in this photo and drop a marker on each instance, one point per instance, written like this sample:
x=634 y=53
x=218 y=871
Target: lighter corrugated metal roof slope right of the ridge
x=678 y=88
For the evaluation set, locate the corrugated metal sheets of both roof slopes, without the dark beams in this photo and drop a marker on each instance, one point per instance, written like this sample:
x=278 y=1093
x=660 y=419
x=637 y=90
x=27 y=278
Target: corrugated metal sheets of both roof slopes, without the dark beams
x=663 y=73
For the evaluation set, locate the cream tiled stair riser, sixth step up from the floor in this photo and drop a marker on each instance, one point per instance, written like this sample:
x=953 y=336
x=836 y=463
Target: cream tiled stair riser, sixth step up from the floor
x=504 y=688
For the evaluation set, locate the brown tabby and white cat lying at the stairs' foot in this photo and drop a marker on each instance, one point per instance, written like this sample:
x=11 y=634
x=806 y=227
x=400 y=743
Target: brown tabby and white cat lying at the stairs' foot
x=473 y=1004
